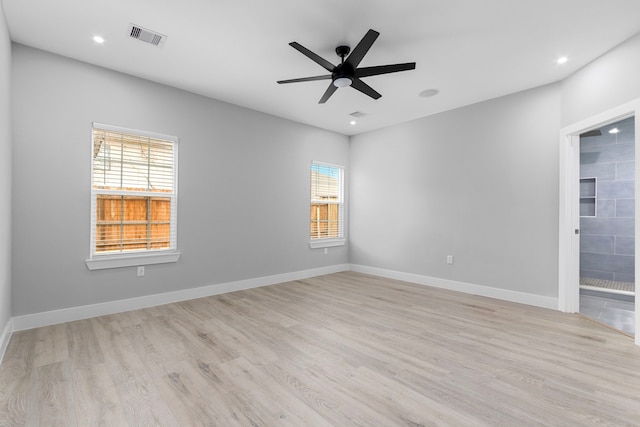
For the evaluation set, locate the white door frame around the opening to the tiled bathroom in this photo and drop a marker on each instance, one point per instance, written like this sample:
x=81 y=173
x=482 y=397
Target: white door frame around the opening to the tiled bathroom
x=569 y=241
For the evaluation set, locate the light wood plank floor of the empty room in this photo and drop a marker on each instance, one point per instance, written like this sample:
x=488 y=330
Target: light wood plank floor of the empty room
x=340 y=350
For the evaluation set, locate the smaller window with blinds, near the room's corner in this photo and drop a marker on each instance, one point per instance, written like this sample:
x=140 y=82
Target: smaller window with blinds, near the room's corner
x=327 y=205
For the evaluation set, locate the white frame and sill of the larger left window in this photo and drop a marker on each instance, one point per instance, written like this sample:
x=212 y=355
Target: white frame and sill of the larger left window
x=98 y=261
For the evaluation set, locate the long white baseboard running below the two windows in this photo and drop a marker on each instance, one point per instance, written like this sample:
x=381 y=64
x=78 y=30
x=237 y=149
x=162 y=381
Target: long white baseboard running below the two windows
x=35 y=320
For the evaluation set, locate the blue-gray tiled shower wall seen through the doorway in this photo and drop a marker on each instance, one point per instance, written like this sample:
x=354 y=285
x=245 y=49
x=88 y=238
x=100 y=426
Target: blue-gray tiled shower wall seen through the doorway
x=607 y=242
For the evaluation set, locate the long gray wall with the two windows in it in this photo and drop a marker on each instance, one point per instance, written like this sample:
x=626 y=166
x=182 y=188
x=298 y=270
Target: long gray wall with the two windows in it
x=243 y=198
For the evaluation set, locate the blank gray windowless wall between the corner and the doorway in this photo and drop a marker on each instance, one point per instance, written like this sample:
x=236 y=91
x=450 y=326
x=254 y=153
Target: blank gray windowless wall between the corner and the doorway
x=479 y=183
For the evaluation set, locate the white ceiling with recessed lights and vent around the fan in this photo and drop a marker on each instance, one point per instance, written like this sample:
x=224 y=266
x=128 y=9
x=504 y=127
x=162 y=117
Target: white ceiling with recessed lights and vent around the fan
x=236 y=50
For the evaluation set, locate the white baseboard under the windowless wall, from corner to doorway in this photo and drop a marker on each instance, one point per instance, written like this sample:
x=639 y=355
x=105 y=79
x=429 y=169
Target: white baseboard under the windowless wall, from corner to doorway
x=469 y=288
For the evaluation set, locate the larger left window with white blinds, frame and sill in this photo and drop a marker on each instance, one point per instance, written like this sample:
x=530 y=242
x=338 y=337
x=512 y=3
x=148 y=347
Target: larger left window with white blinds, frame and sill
x=133 y=198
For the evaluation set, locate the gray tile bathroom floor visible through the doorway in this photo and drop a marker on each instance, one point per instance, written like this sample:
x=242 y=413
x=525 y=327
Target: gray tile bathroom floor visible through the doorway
x=617 y=311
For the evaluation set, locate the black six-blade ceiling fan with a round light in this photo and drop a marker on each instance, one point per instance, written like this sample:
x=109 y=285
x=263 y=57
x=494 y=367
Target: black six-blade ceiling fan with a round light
x=347 y=72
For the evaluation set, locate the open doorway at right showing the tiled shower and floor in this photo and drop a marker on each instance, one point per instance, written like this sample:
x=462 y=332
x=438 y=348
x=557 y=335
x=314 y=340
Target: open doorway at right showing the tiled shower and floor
x=607 y=219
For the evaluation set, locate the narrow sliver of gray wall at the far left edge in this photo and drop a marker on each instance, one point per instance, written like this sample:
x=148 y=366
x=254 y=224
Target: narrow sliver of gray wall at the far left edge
x=5 y=174
